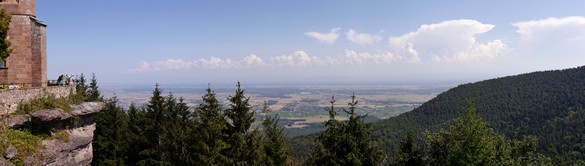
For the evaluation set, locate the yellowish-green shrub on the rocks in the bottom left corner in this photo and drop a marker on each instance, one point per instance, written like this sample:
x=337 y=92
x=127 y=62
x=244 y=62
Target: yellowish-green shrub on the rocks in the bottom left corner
x=26 y=144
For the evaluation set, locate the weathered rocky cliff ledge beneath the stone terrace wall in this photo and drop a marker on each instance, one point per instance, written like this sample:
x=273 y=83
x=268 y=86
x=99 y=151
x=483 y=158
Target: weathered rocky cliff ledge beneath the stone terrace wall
x=70 y=134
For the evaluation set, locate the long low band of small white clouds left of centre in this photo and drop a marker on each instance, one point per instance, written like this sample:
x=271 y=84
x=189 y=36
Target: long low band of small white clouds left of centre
x=250 y=61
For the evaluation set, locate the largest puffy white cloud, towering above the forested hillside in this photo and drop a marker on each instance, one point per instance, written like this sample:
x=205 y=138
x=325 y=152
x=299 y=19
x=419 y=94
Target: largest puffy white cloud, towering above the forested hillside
x=453 y=40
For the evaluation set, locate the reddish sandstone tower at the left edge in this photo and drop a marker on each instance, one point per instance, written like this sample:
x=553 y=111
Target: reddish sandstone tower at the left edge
x=27 y=65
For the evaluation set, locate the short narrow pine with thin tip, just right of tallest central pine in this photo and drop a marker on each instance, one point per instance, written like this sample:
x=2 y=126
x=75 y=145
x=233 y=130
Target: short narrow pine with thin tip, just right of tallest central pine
x=275 y=145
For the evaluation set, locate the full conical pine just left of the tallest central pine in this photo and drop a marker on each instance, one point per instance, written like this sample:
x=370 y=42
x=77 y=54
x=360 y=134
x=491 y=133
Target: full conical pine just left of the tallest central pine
x=209 y=135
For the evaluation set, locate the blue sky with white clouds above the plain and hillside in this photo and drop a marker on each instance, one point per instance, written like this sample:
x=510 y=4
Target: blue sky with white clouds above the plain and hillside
x=305 y=41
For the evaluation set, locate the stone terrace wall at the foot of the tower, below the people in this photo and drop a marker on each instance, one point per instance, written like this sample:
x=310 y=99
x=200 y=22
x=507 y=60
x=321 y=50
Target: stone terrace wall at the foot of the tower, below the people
x=9 y=99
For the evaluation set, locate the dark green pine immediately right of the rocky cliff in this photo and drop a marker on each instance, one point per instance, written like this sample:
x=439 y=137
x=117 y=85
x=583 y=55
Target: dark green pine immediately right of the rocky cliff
x=110 y=137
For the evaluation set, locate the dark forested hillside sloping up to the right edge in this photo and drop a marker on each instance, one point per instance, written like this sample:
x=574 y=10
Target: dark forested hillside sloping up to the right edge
x=516 y=106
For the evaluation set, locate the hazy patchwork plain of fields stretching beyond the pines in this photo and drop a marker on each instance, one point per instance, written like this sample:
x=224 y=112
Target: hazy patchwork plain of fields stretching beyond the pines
x=302 y=108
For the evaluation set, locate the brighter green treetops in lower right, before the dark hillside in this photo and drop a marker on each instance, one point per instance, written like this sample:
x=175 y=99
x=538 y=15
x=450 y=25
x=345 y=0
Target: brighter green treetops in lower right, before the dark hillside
x=469 y=141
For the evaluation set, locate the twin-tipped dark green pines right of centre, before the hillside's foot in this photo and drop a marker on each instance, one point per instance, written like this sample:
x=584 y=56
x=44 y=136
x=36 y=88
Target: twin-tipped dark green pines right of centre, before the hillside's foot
x=346 y=143
